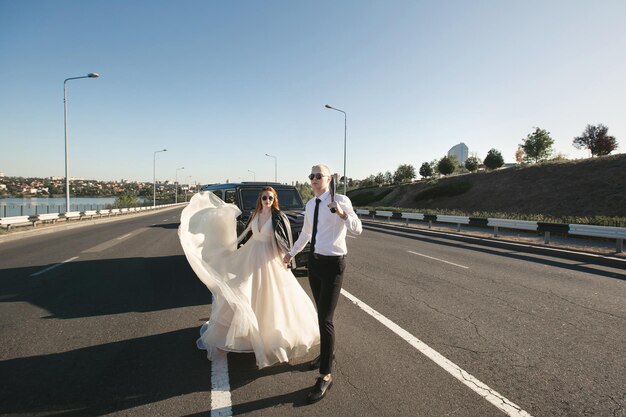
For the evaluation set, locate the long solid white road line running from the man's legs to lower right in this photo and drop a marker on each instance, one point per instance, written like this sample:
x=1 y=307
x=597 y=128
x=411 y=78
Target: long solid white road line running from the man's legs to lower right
x=474 y=384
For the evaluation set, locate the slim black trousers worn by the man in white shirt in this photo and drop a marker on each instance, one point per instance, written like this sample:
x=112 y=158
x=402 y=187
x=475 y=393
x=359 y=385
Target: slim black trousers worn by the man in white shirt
x=325 y=278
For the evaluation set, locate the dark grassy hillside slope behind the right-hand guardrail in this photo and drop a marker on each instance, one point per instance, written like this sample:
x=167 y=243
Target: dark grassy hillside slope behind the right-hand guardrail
x=594 y=187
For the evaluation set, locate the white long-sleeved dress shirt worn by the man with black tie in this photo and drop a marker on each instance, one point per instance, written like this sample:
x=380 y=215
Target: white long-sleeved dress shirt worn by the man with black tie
x=330 y=239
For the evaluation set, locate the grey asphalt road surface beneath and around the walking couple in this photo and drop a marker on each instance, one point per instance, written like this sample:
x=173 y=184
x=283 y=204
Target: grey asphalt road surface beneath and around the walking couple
x=111 y=329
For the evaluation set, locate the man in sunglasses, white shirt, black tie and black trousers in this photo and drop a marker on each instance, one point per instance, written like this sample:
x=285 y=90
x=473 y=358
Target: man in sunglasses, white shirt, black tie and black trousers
x=326 y=230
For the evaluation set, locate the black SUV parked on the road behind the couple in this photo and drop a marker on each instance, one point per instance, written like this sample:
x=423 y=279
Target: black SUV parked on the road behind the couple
x=244 y=196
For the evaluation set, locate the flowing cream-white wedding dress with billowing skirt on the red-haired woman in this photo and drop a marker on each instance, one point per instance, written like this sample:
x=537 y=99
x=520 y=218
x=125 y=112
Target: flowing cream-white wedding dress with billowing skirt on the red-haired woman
x=258 y=305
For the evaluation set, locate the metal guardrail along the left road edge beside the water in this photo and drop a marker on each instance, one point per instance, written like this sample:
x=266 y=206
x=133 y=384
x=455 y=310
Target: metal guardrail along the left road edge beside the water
x=16 y=221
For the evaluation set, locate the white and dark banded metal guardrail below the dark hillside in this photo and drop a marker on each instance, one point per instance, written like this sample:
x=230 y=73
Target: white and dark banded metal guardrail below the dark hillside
x=617 y=233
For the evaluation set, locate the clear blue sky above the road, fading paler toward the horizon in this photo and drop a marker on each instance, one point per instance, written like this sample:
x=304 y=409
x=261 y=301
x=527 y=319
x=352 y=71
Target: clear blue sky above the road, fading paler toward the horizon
x=222 y=83
